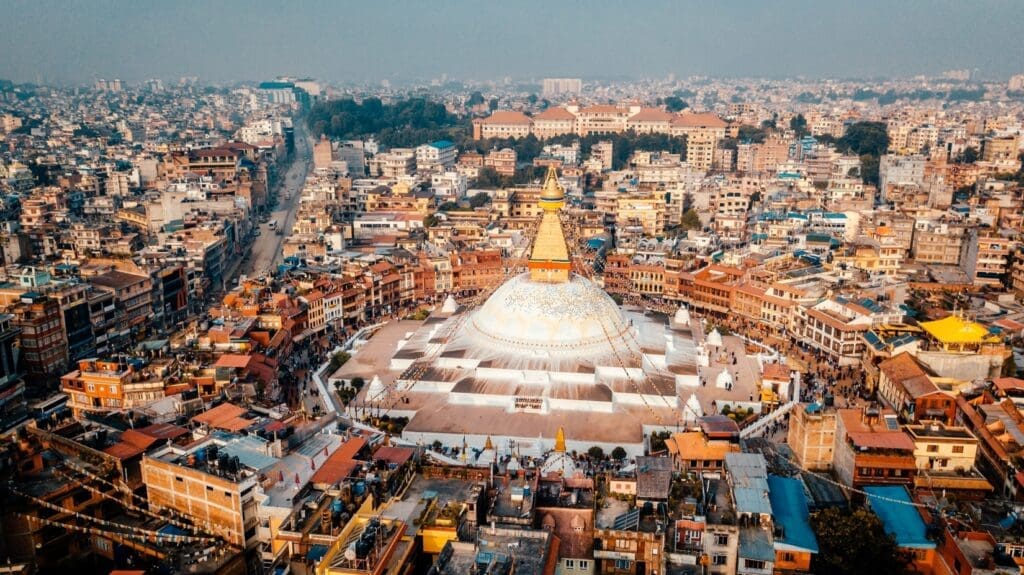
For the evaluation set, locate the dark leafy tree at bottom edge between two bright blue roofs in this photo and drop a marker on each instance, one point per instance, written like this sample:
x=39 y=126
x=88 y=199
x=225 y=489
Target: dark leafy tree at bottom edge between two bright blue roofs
x=850 y=544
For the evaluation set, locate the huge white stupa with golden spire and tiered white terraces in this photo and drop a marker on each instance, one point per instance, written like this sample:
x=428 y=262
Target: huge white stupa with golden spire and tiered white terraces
x=549 y=349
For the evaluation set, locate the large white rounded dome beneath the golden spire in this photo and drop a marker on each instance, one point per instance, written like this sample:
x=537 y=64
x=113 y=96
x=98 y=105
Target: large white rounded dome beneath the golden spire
x=574 y=318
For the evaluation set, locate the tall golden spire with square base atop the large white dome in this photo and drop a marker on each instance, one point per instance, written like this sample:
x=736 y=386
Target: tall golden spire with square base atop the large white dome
x=550 y=259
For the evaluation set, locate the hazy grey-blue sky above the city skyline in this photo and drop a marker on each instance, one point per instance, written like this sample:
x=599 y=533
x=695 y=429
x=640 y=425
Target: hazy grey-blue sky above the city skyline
x=370 y=40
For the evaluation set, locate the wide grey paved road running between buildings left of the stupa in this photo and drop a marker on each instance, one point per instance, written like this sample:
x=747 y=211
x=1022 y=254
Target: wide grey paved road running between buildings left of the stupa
x=266 y=251
